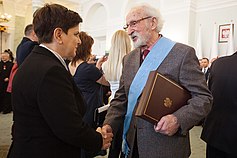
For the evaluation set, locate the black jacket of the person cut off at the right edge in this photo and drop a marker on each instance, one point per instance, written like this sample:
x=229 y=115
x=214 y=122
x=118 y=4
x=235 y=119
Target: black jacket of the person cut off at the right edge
x=220 y=127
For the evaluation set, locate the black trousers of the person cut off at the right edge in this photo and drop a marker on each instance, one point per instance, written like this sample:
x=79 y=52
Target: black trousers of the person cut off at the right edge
x=212 y=152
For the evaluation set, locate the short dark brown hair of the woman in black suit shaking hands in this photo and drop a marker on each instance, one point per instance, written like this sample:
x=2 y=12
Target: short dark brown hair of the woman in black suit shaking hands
x=52 y=16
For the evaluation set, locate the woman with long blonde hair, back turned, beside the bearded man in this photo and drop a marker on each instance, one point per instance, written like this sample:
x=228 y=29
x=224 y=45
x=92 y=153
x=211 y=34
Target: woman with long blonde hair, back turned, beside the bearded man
x=120 y=46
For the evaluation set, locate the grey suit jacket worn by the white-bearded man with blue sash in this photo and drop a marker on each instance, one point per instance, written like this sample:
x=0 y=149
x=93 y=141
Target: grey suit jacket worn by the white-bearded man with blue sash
x=182 y=66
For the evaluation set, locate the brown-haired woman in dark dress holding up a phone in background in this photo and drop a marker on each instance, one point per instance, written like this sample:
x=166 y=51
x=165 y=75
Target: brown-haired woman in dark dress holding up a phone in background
x=89 y=80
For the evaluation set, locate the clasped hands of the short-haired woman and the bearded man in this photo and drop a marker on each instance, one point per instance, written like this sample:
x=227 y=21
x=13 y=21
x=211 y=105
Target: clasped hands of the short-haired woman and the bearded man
x=107 y=135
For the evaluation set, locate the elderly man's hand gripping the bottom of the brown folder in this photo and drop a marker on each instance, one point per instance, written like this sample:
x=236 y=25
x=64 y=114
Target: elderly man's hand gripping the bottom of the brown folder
x=167 y=125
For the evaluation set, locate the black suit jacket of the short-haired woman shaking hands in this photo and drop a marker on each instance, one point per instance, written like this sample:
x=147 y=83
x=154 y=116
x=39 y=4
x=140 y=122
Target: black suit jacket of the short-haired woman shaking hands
x=48 y=111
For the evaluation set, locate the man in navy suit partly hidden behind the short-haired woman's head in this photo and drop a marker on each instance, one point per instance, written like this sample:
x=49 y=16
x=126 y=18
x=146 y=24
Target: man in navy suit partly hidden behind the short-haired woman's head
x=27 y=44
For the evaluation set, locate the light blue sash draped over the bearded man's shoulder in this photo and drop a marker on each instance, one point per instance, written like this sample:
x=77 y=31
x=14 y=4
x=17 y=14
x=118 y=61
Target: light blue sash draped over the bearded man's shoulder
x=152 y=61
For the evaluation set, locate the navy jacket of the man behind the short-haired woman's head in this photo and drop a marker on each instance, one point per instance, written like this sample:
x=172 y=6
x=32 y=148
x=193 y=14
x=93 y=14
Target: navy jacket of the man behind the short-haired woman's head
x=24 y=49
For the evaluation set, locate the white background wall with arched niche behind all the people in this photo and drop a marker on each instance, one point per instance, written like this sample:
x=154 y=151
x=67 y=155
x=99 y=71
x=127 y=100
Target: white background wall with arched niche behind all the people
x=103 y=17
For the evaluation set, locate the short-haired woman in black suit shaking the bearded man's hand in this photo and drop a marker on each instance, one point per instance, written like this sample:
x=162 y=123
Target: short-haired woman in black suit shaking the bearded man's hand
x=48 y=107
